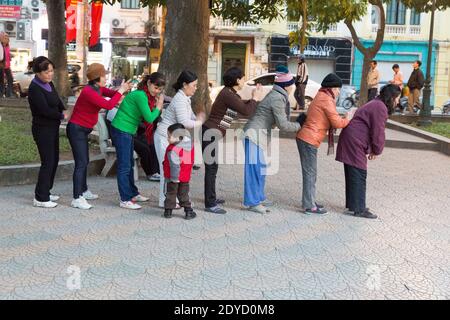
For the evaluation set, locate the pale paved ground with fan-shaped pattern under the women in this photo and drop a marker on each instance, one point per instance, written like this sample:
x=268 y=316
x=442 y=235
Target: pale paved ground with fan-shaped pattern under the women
x=111 y=253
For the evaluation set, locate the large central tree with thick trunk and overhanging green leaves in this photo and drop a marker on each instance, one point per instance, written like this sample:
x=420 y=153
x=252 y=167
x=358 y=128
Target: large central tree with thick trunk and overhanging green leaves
x=186 y=35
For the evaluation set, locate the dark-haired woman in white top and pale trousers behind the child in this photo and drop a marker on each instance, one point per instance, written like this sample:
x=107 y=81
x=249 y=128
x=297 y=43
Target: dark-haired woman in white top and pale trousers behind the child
x=178 y=111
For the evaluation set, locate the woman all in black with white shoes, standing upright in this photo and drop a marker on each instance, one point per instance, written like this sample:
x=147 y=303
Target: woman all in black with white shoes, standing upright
x=47 y=111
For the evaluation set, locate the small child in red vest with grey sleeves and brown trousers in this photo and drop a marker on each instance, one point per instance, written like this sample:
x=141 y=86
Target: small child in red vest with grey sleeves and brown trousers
x=177 y=164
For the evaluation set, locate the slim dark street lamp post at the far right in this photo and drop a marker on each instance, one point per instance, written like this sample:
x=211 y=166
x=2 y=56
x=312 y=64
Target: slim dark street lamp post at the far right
x=426 y=105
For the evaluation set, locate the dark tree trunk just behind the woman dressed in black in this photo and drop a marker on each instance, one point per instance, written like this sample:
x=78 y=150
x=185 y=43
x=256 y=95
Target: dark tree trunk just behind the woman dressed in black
x=57 y=51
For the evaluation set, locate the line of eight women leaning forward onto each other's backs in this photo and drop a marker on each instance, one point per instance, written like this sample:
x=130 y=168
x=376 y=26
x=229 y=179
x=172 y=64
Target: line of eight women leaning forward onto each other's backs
x=363 y=136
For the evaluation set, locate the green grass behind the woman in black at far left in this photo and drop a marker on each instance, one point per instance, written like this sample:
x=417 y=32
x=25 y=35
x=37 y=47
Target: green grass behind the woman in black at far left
x=16 y=140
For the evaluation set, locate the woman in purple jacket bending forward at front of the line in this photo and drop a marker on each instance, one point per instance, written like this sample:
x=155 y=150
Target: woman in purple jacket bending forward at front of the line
x=364 y=139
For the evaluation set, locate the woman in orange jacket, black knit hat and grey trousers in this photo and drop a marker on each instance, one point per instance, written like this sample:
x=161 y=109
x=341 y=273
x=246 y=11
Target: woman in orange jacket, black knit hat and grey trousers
x=322 y=118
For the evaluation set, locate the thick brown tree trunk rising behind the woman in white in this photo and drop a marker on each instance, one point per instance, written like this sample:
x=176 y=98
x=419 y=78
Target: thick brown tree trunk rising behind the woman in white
x=186 y=46
